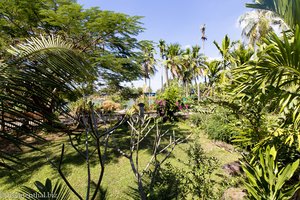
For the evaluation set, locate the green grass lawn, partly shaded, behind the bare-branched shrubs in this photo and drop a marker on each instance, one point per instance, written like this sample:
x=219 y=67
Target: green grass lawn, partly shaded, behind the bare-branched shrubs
x=118 y=174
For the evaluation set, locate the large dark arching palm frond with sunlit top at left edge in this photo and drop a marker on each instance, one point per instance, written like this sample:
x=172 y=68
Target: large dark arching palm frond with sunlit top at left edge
x=34 y=83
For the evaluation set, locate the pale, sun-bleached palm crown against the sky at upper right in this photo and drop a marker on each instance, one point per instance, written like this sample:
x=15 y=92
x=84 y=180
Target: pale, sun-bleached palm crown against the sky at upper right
x=258 y=23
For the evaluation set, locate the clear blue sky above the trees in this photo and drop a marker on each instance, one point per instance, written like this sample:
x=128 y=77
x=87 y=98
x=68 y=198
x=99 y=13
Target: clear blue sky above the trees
x=180 y=21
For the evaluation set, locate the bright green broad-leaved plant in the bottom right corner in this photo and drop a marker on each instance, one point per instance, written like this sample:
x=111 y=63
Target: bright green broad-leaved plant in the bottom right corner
x=265 y=180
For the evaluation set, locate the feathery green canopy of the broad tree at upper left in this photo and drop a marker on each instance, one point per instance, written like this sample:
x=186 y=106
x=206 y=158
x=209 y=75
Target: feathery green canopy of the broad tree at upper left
x=108 y=39
